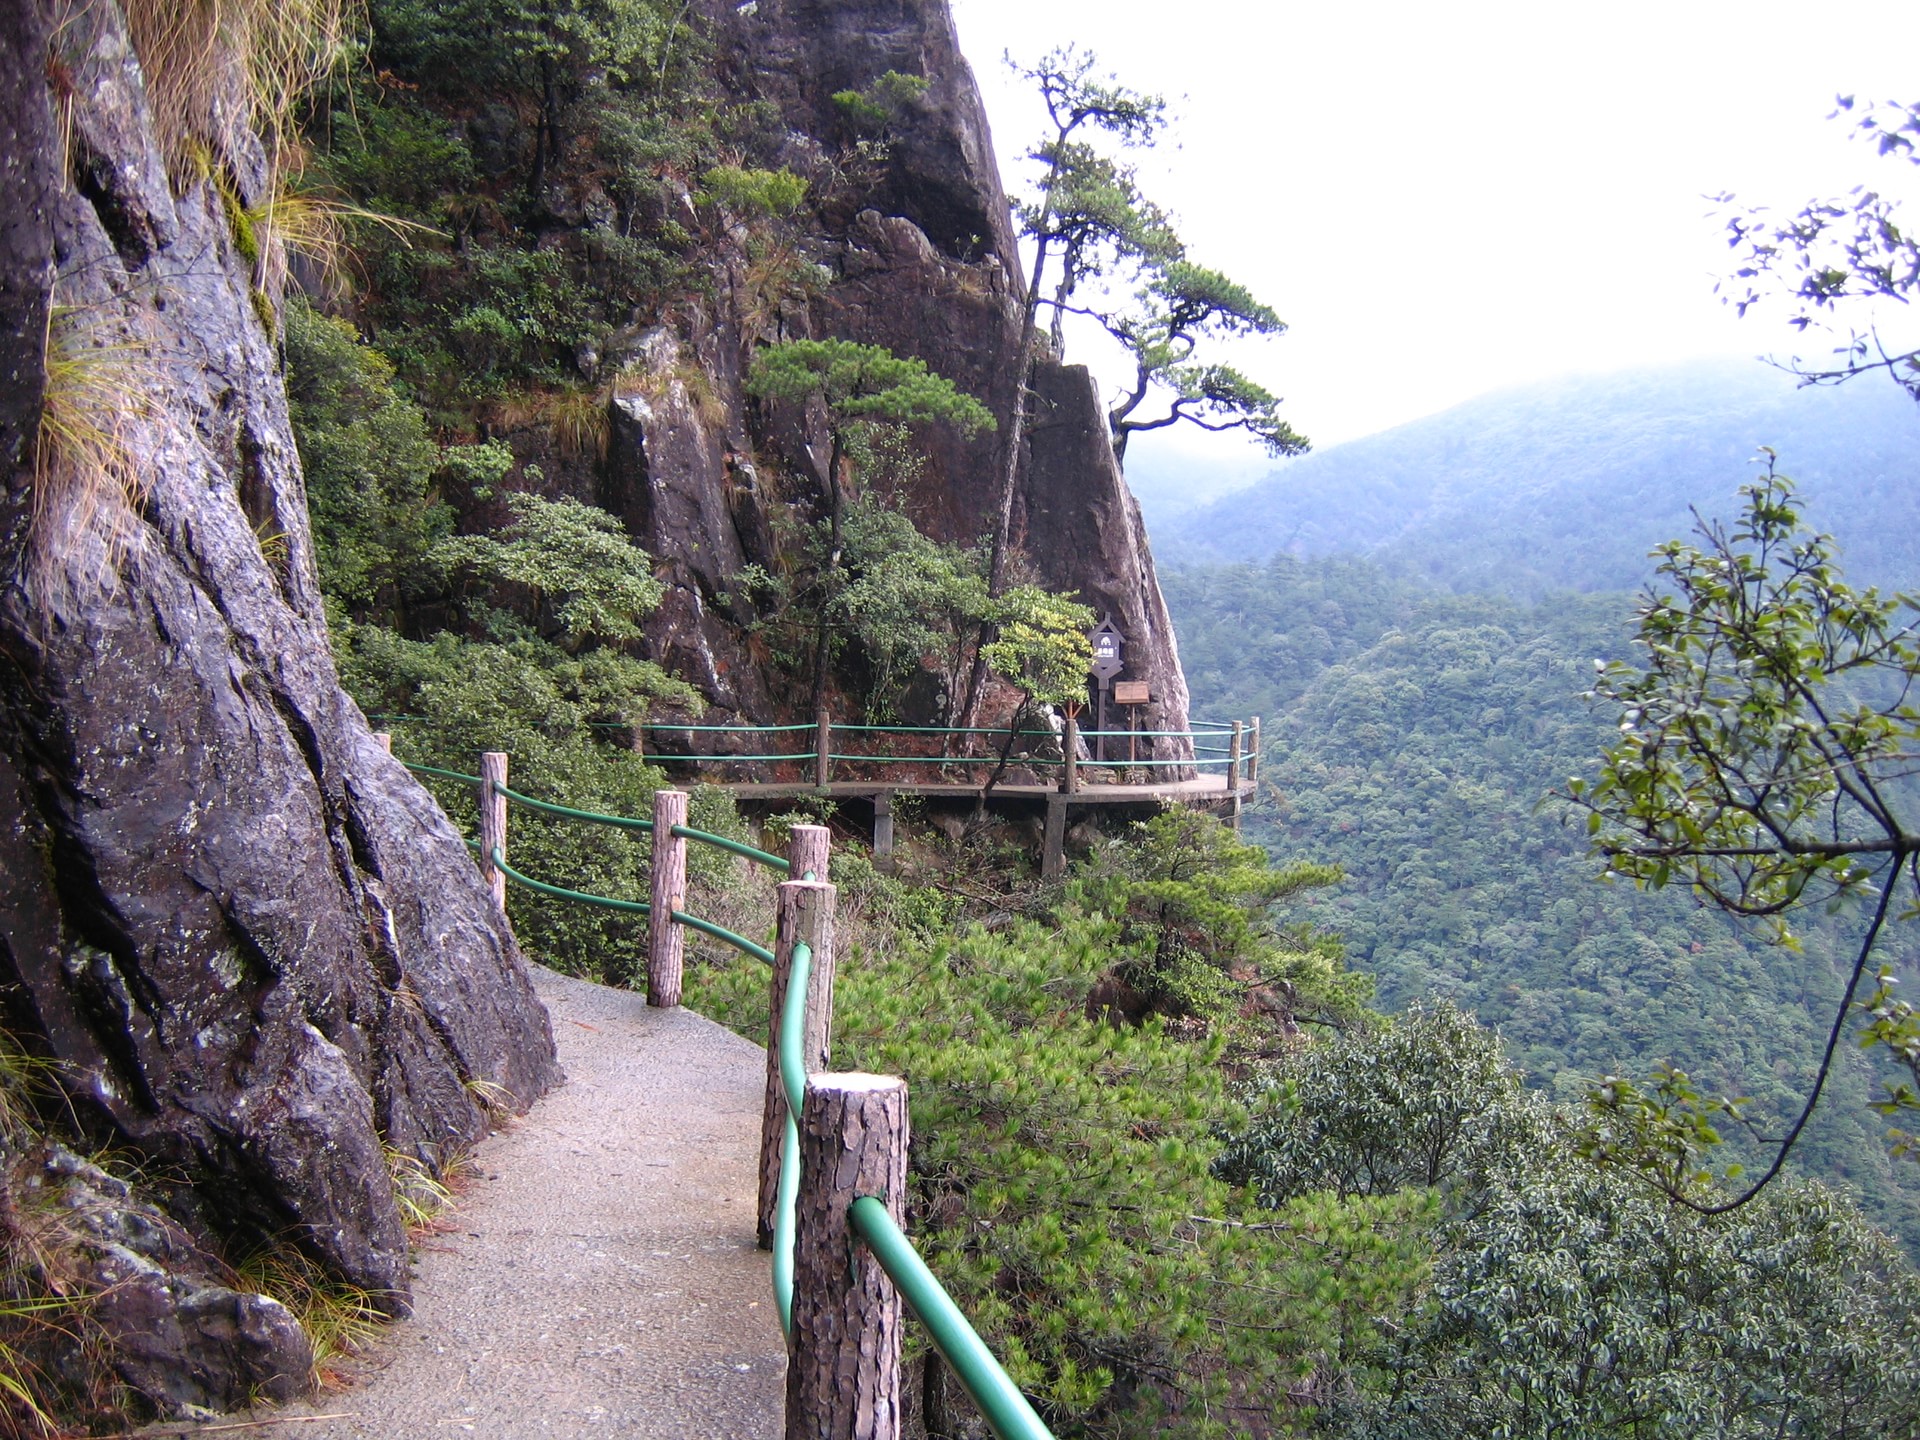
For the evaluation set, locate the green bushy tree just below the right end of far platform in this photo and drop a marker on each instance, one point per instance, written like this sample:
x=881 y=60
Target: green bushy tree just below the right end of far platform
x=1199 y=928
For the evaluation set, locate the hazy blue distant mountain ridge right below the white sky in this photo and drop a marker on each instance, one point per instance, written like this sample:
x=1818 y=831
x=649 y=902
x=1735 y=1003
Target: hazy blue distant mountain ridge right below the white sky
x=1568 y=485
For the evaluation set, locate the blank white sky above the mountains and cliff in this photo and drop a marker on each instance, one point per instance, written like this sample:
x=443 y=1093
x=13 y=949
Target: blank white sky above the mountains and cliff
x=1449 y=199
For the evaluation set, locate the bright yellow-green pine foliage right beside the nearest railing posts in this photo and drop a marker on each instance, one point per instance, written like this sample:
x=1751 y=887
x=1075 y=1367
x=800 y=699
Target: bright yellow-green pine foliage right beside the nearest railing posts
x=1061 y=1189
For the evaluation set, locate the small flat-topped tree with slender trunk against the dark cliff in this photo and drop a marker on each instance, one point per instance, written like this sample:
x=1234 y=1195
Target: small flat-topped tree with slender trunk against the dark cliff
x=859 y=387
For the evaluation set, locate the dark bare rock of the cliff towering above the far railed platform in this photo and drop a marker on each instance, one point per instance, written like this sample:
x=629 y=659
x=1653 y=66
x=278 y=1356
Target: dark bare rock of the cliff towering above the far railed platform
x=921 y=260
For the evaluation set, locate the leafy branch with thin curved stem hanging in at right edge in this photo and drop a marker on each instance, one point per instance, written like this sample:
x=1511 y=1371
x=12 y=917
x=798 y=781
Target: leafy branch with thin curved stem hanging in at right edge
x=1765 y=757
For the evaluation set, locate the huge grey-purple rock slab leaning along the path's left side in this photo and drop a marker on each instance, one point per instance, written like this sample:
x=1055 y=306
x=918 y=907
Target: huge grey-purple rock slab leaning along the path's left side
x=252 y=942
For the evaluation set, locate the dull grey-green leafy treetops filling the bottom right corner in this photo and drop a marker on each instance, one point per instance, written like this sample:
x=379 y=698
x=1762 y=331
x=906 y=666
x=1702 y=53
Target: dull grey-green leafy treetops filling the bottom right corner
x=1564 y=1299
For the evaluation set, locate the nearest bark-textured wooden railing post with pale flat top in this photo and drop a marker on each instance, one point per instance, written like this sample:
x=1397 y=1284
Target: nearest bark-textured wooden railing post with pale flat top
x=844 y=1360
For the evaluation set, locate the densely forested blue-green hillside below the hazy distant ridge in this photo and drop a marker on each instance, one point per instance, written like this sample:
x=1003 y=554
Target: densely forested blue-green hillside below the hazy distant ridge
x=1414 y=738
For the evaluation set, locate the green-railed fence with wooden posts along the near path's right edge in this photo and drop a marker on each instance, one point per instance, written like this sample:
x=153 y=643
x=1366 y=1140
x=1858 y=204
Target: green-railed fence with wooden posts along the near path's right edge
x=804 y=965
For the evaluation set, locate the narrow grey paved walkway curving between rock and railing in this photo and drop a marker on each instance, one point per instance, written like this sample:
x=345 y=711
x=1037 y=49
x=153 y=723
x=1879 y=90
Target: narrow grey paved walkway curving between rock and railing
x=602 y=1276
